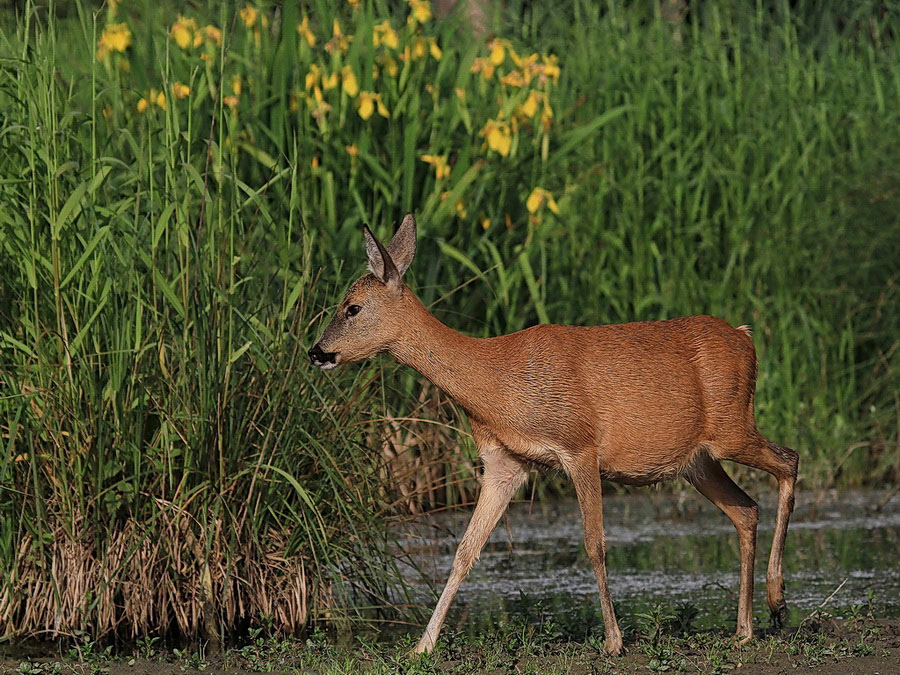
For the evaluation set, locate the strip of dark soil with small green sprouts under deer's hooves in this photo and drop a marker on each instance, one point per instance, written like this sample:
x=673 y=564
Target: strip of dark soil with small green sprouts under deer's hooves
x=828 y=646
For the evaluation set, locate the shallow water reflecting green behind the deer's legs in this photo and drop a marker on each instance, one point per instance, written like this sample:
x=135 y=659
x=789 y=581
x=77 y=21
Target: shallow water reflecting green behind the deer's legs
x=665 y=548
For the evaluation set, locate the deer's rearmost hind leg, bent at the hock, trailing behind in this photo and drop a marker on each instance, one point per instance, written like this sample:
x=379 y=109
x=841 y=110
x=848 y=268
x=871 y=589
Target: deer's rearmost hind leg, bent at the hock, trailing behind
x=782 y=463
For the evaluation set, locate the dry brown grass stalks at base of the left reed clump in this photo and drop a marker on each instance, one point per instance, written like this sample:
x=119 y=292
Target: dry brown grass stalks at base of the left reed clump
x=179 y=578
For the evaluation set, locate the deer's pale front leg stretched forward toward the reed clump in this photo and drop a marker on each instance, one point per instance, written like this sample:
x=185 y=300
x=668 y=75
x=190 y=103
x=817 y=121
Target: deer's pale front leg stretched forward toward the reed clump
x=503 y=474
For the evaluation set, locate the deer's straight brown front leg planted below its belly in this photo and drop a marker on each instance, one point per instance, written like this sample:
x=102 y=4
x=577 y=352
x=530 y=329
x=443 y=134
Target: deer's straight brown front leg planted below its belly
x=590 y=499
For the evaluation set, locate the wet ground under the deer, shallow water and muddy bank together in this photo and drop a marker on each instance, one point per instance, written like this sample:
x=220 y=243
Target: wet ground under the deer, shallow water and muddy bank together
x=529 y=604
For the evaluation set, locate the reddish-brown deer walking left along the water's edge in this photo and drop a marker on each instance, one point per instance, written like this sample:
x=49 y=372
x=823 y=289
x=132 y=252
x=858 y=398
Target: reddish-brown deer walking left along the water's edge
x=634 y=403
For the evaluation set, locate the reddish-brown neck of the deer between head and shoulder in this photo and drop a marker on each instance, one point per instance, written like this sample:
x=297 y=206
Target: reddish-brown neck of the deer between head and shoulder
x=461 y=366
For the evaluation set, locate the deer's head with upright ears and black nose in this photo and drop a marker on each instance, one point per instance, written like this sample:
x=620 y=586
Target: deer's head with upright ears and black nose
x=370 y=317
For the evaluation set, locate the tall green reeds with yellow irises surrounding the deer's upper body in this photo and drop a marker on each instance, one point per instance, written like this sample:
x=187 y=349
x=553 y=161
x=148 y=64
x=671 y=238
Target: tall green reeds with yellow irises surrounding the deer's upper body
x=171 y=465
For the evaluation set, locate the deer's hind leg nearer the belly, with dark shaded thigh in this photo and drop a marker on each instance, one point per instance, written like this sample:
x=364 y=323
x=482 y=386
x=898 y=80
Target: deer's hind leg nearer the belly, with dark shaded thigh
x=710 y=479
